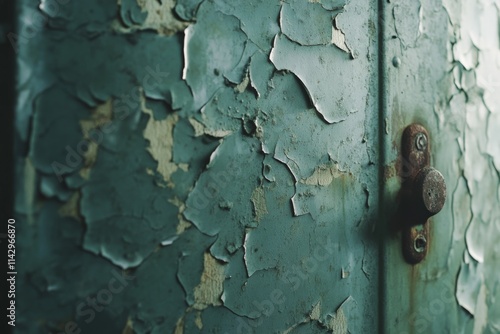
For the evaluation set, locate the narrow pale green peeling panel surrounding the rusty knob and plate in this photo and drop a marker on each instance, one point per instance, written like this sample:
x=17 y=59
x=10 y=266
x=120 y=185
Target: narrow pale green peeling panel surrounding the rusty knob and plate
x=441 y=71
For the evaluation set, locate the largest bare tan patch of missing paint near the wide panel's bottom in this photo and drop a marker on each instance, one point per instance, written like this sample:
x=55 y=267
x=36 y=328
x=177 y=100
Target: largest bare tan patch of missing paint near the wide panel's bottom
x=209 y=291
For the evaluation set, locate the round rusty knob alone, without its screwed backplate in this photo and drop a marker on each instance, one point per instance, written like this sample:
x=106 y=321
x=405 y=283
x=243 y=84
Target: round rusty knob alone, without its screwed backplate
x=429 y=193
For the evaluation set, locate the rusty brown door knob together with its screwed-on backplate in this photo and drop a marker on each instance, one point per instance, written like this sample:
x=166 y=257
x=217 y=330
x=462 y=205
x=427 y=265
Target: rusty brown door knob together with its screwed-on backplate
x=423 y=192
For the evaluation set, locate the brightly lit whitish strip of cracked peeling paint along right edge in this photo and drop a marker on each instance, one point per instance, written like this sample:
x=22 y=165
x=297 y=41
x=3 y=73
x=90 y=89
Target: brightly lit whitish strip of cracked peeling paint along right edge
x=477 y=286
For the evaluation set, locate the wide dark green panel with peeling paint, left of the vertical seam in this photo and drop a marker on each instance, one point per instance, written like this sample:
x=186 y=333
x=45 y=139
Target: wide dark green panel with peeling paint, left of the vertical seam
x=197 y=166
